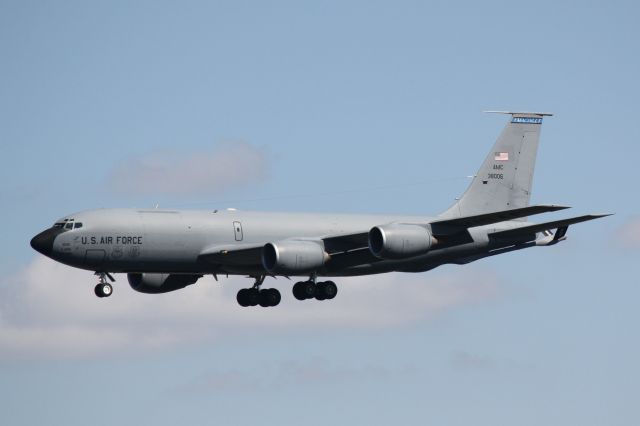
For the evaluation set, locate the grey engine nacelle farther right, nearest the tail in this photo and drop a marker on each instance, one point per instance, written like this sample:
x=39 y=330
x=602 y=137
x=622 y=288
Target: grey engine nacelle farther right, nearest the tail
x=399 y=241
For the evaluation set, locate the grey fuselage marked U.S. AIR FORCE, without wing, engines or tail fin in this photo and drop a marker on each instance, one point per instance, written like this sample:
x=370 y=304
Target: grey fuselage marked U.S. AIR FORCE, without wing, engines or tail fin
x=172 y=241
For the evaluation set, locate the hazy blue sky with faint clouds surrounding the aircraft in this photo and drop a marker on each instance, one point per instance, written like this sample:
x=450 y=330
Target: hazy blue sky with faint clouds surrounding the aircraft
x=332 y=106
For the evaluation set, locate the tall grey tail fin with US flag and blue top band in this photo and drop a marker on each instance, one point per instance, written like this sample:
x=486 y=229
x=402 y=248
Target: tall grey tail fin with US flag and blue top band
x=504 y=180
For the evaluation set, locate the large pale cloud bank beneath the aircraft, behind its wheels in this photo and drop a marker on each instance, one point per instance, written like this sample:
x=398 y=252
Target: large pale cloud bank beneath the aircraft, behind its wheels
x=49 y=310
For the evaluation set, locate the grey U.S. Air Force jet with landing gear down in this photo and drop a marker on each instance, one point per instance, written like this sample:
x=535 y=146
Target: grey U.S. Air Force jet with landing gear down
x=165 y=250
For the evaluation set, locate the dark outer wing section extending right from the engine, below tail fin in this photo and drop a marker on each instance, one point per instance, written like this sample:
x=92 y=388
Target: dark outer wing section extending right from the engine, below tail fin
x=450 y=226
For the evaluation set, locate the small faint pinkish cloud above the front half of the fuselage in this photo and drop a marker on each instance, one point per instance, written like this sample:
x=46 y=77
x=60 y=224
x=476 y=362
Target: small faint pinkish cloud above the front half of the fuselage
x=228 y=165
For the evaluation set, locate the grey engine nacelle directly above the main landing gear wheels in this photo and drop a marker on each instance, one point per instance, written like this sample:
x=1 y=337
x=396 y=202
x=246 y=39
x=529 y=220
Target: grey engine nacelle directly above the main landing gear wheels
x=290 y=257
